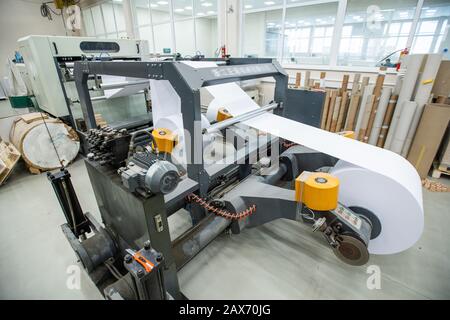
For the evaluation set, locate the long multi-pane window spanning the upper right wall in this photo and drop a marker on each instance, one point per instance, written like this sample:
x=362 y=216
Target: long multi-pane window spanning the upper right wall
x=342 y=32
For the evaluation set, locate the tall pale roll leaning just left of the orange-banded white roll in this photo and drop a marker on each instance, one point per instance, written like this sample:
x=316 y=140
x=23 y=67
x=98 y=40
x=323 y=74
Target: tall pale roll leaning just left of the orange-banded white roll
x=413 y=63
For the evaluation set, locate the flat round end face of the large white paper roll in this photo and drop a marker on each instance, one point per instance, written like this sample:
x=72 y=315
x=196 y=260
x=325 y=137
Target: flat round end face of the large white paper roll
x=381 y=195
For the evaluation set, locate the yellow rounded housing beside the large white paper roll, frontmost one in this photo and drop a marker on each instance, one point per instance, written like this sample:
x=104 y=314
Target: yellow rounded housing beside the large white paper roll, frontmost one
x=317 y=190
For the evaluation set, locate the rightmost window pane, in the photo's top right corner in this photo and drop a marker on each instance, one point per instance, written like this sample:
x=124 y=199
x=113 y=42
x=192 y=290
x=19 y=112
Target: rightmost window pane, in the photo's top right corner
x=432 y=26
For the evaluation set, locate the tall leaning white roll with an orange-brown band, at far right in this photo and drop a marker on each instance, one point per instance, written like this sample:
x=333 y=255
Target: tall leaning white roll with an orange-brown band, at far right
x=426 y=83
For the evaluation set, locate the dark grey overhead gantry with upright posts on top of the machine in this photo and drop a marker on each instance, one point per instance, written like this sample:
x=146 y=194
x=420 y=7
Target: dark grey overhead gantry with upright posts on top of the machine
x=187 y=82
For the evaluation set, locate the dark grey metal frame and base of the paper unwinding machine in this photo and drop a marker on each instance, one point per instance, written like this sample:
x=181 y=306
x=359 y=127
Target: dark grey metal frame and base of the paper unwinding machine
x=143 y=213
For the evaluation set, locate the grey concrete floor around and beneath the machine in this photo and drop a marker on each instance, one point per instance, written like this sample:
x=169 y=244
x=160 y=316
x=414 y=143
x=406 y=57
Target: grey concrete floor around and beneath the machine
x=280 y=260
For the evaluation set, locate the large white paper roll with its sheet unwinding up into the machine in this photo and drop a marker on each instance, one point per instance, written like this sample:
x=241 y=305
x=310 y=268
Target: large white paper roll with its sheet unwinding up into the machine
x=387 y=184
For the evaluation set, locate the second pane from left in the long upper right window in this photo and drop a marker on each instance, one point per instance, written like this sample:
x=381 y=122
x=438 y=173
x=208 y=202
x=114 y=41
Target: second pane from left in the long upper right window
x=308 y=33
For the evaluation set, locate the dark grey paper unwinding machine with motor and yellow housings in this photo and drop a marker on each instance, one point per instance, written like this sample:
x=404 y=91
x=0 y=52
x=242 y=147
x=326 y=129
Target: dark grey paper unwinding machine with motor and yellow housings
x=138 y=184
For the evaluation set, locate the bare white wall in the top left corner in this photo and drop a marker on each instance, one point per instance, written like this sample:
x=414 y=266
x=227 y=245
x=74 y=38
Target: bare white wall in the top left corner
x=19 y=18
